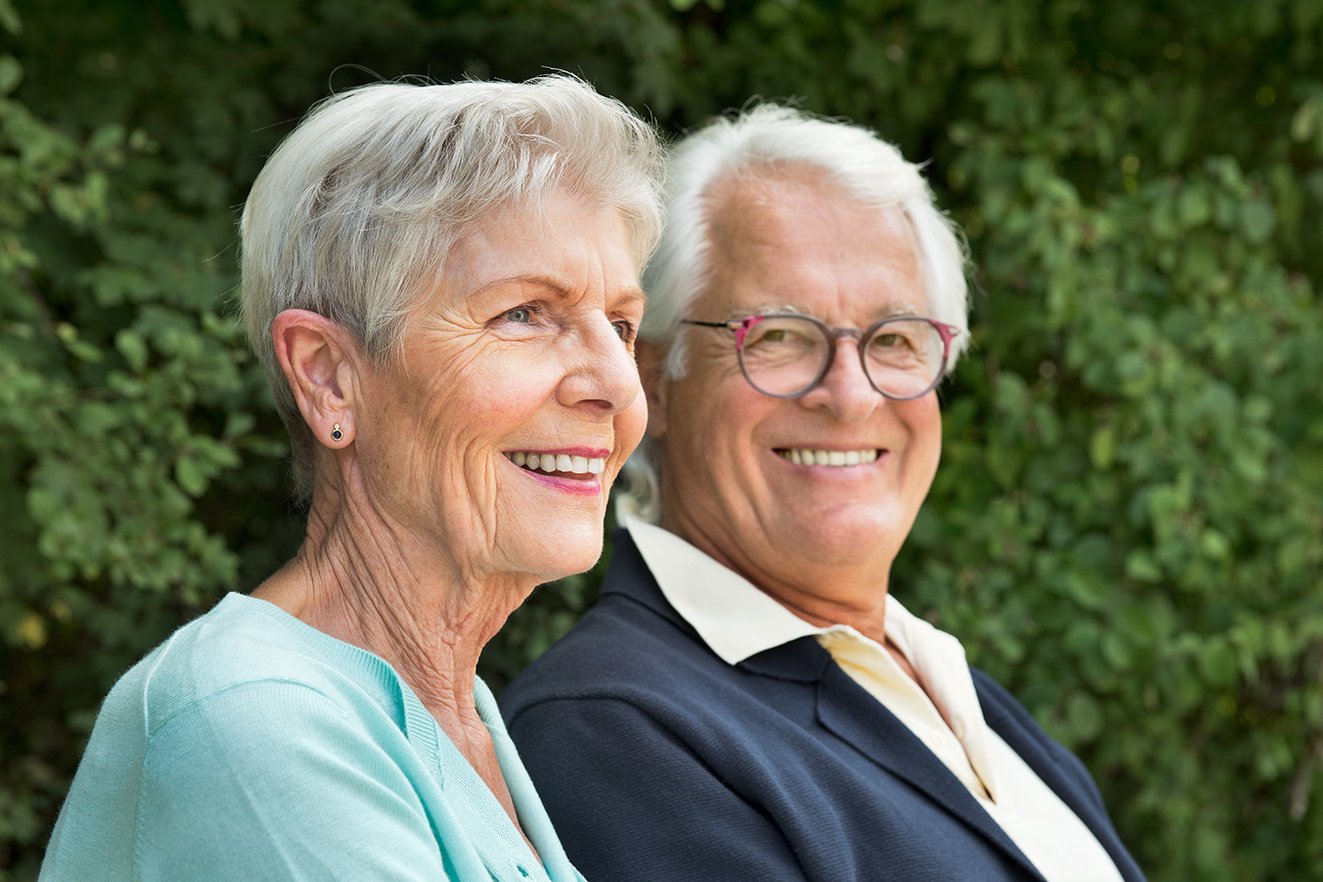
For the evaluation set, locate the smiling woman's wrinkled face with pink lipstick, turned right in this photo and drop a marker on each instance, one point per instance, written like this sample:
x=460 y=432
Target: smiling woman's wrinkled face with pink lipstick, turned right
x=501 y=430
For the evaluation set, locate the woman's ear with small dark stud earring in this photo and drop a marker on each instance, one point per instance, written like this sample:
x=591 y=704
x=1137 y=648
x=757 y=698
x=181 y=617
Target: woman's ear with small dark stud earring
x=321 y=364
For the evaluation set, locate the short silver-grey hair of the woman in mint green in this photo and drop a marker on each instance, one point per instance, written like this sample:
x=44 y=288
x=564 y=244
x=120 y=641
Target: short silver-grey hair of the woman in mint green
x=354 y=215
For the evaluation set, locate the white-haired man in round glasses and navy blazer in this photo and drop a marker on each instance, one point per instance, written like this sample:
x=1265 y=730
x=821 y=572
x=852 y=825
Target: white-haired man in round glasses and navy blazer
x=748 y=702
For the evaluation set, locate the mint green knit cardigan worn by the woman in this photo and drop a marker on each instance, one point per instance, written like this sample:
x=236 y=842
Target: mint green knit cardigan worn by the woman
x=252 y=746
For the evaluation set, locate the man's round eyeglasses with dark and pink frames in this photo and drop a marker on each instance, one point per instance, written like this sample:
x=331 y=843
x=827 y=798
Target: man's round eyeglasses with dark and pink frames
x=788 y=355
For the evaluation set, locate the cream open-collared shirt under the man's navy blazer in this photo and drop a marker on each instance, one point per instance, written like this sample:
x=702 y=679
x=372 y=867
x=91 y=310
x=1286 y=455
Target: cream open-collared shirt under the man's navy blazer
x=738 y=621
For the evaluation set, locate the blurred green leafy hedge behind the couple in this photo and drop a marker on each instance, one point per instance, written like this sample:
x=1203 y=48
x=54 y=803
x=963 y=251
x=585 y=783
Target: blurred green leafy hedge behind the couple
x=1128 y=527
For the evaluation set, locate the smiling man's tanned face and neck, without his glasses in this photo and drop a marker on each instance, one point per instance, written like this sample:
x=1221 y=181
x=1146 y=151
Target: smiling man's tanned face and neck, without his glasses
x=818 y=538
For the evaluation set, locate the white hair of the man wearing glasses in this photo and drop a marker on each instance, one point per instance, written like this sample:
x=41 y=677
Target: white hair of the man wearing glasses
x=768 y=142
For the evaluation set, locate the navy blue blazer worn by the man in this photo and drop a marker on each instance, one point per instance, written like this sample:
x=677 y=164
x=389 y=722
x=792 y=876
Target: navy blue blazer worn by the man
x=658 y=761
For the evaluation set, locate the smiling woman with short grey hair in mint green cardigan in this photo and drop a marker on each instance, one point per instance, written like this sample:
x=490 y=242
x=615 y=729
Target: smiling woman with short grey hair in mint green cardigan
x=443 y=284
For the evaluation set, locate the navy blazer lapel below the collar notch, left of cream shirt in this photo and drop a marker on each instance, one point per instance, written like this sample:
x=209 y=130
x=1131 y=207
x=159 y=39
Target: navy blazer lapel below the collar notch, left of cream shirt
x=849 y=712
